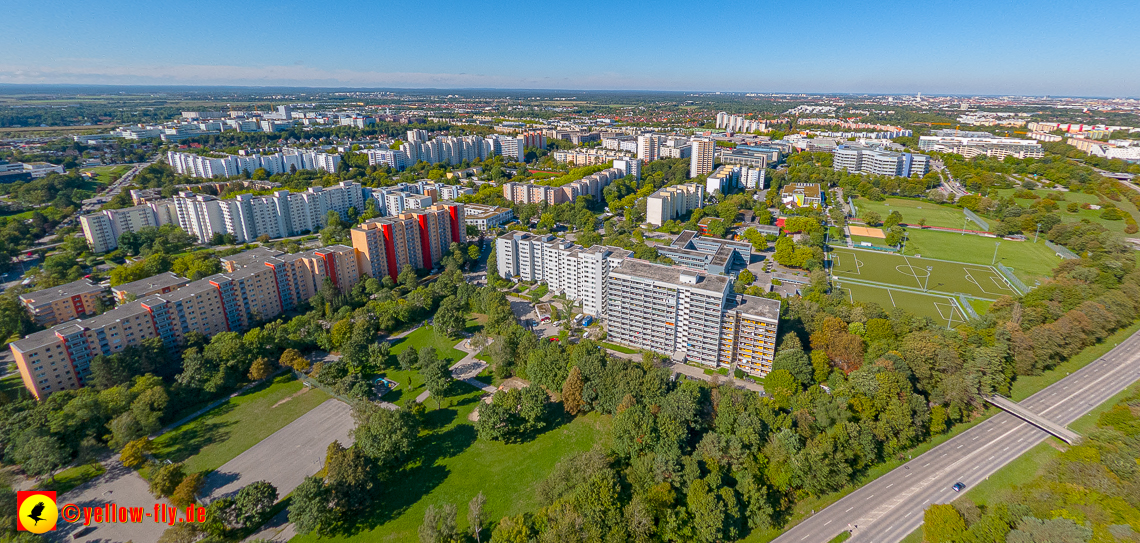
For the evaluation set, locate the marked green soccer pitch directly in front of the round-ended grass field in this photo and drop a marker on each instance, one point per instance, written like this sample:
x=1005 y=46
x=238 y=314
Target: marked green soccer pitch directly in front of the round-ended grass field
x=924 y=274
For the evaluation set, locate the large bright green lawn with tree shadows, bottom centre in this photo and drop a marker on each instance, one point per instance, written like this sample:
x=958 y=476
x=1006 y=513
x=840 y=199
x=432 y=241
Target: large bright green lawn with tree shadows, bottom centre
x=453 y=466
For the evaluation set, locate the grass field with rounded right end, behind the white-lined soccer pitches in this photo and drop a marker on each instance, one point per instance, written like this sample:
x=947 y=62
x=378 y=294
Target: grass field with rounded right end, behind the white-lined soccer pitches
x=1030 y=261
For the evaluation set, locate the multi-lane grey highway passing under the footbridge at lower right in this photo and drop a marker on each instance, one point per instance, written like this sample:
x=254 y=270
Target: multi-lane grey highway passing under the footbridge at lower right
x=890 y=508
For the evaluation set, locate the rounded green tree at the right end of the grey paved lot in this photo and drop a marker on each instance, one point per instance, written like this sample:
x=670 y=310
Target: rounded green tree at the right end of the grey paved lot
x=387 y=436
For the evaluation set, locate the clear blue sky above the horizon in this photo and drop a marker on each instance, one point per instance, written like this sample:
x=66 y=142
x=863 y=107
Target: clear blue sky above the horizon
x=1089 y=48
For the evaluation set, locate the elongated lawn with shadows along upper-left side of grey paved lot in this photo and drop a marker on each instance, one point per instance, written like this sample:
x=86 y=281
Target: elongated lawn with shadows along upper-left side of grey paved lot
x=217 y=437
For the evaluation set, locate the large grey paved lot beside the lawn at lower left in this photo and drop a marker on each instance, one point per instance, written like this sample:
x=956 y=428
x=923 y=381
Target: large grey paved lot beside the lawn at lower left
x=287 y=457
